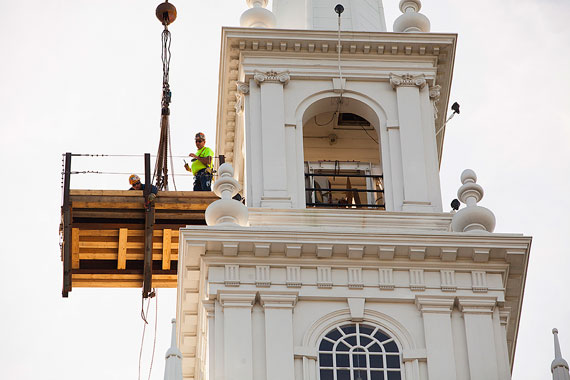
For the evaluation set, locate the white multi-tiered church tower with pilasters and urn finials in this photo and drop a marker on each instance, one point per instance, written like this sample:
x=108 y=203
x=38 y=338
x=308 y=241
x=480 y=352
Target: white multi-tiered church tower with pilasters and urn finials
x=341 y=262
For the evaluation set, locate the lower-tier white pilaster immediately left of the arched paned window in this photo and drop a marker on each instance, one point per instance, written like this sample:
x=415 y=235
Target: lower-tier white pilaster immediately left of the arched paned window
x=279 y=335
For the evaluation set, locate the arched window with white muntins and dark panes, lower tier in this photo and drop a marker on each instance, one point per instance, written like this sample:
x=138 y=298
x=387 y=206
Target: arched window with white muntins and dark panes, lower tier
x=359 y=351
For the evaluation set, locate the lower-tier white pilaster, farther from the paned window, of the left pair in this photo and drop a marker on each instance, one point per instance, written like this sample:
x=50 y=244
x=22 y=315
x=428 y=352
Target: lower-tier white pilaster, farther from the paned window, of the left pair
x=238 y=345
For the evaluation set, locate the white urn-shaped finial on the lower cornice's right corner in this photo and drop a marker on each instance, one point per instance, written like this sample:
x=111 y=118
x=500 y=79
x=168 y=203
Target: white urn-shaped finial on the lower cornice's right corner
x=472 y=218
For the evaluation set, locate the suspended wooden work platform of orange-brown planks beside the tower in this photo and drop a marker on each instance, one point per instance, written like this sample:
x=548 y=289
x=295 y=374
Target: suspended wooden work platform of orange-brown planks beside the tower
x=105 y=236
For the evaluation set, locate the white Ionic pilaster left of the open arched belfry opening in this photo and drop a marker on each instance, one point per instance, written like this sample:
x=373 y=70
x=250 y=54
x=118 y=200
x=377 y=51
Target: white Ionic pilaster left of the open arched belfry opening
x=273 y=147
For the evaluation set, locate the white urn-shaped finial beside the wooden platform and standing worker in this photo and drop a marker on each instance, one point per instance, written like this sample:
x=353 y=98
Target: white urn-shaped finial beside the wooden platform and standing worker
x=226 y=211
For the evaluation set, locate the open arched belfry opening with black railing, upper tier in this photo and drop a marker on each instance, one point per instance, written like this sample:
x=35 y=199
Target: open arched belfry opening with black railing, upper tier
x=343 y=167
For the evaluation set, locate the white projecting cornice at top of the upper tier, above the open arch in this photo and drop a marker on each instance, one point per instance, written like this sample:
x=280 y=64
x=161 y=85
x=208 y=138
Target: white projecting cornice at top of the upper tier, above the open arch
x=317 y=44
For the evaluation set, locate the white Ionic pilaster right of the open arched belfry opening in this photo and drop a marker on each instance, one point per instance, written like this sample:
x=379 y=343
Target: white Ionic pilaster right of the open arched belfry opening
x=416 y=197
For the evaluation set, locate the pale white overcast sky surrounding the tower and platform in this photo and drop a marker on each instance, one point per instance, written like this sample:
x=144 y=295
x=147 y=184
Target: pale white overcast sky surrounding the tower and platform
x=85 y=76
